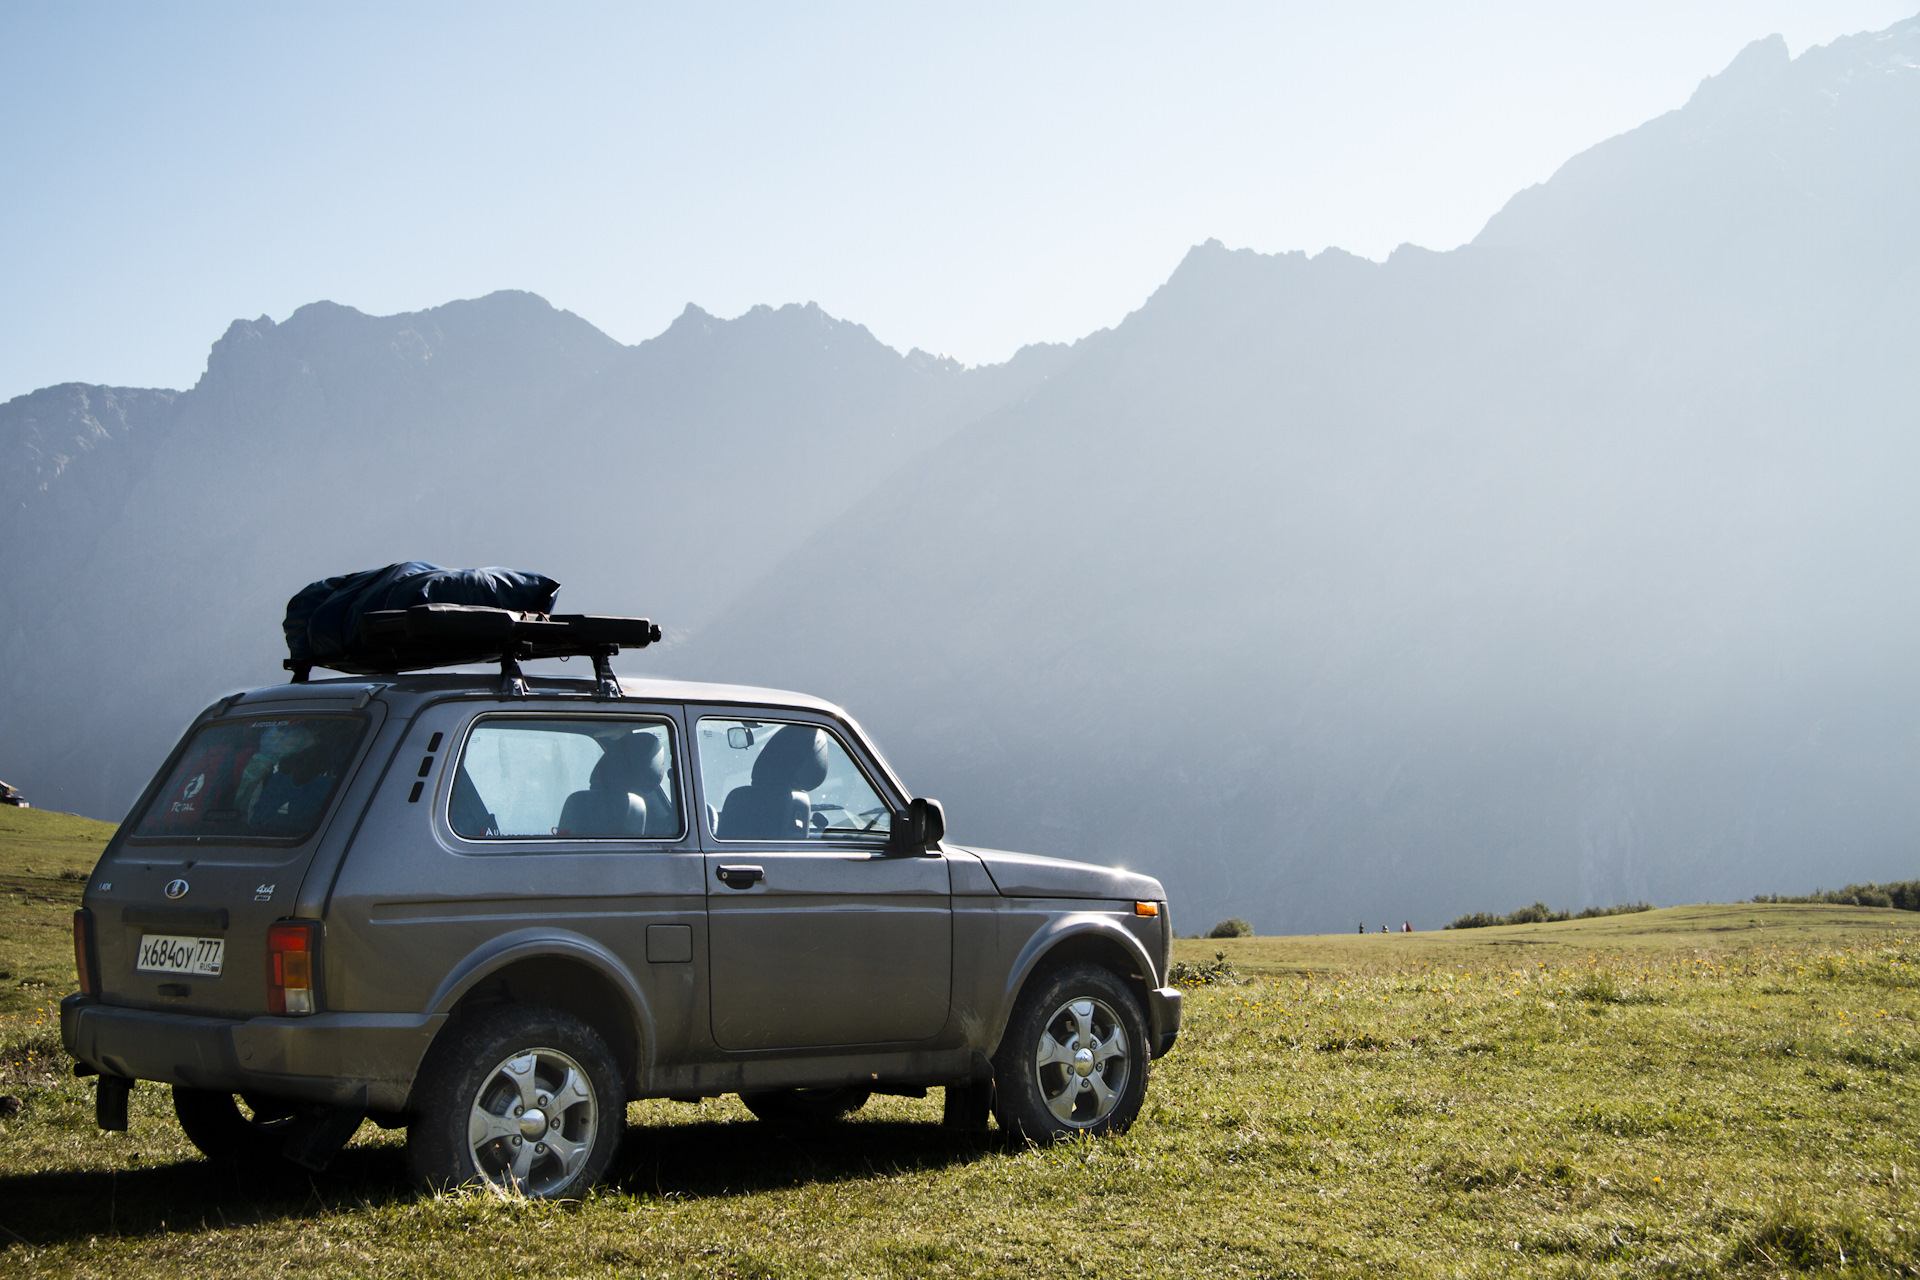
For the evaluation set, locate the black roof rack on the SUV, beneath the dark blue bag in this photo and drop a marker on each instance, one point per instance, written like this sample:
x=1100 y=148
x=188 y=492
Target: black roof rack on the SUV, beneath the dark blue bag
x=431 y=636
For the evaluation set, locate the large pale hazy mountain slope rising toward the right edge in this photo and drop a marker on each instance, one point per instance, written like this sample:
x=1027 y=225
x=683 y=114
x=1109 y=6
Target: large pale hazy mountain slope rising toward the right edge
x=1575 y=563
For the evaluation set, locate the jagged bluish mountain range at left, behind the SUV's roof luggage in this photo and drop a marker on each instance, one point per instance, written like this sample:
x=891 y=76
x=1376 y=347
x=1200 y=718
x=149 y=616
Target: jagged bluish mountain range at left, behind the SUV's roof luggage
x=155 y=565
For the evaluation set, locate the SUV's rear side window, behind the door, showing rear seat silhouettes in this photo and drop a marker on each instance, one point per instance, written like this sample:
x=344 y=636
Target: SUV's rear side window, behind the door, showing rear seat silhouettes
x=567 y=778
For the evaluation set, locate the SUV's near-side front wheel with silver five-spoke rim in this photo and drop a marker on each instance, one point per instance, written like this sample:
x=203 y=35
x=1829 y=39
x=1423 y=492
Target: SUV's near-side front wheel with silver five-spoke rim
x=1074 y=1058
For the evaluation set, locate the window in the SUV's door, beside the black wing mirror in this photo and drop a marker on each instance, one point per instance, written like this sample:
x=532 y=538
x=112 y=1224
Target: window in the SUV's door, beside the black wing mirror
x=786 y=782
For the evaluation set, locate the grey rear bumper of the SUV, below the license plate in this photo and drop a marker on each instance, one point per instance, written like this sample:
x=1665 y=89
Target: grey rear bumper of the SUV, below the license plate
x=322 y=1058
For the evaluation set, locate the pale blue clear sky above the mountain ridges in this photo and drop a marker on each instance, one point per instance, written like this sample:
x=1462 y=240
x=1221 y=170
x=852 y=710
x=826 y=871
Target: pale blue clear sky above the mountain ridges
x=963 y=179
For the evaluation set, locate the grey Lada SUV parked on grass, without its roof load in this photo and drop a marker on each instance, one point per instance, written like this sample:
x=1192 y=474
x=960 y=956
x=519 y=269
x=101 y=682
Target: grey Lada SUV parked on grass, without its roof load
x=494 y=911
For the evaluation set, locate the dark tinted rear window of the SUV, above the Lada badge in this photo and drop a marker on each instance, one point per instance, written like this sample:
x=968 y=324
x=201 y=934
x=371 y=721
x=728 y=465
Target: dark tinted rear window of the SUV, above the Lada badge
x=254 y=782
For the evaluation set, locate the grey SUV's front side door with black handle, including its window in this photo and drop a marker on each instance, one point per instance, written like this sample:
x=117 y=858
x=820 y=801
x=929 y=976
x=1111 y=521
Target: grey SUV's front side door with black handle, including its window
x=817 y=937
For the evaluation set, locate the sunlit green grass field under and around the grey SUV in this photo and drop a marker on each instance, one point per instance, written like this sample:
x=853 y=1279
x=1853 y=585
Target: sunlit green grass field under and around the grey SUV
x=1685 y=1093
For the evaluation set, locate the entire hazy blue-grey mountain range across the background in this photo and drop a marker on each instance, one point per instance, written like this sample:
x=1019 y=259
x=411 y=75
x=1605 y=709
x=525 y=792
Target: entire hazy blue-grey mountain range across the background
x=1577 y=563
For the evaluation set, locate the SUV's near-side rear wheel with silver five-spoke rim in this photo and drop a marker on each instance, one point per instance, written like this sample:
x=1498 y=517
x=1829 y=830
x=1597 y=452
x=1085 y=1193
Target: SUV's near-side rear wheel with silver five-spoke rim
x=523 y=1099
